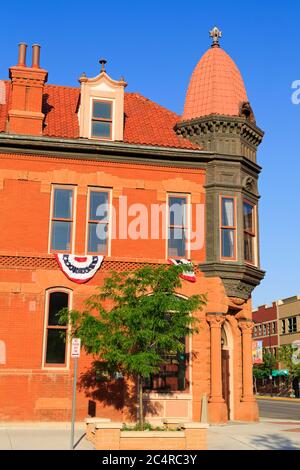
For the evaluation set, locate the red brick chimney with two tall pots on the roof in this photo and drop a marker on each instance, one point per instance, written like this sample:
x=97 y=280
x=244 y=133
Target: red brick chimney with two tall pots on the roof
x=27 y=86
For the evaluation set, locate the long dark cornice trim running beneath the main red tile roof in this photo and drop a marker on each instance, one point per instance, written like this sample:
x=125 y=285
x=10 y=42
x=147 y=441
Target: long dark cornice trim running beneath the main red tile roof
x=85 y=149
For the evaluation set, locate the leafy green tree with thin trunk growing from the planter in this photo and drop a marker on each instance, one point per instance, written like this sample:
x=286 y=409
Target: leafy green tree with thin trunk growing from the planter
x=134 y=321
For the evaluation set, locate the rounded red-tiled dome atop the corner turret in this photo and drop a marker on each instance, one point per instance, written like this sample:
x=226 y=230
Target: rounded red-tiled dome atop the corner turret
x=216 y=87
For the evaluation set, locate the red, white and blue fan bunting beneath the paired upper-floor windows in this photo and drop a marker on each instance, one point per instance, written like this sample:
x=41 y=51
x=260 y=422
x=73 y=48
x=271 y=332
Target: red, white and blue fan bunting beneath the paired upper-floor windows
x=79 y=269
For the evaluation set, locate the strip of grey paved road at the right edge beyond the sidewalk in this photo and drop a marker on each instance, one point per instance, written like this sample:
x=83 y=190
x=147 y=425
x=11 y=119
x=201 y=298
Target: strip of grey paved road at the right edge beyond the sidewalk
x=279 y=409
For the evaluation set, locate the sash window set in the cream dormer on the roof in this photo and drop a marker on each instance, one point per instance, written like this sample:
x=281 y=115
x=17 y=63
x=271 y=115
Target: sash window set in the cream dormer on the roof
x=102 y=119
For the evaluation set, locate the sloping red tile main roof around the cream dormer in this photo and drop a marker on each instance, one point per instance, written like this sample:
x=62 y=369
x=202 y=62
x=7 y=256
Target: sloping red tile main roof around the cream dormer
x=146 y=123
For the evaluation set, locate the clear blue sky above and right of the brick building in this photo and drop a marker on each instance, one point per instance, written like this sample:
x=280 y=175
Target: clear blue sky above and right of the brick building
x=156 y=45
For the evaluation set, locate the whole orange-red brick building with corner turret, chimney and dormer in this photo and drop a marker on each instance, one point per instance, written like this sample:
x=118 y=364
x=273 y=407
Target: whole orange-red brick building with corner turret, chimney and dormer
x=65 y=151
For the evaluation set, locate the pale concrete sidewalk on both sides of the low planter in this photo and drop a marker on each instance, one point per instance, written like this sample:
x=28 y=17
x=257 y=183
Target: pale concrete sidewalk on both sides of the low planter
x=268 y=434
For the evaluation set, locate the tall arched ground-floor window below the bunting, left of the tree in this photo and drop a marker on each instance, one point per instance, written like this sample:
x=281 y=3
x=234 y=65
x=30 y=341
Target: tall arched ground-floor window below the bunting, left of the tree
x=56 y=334
